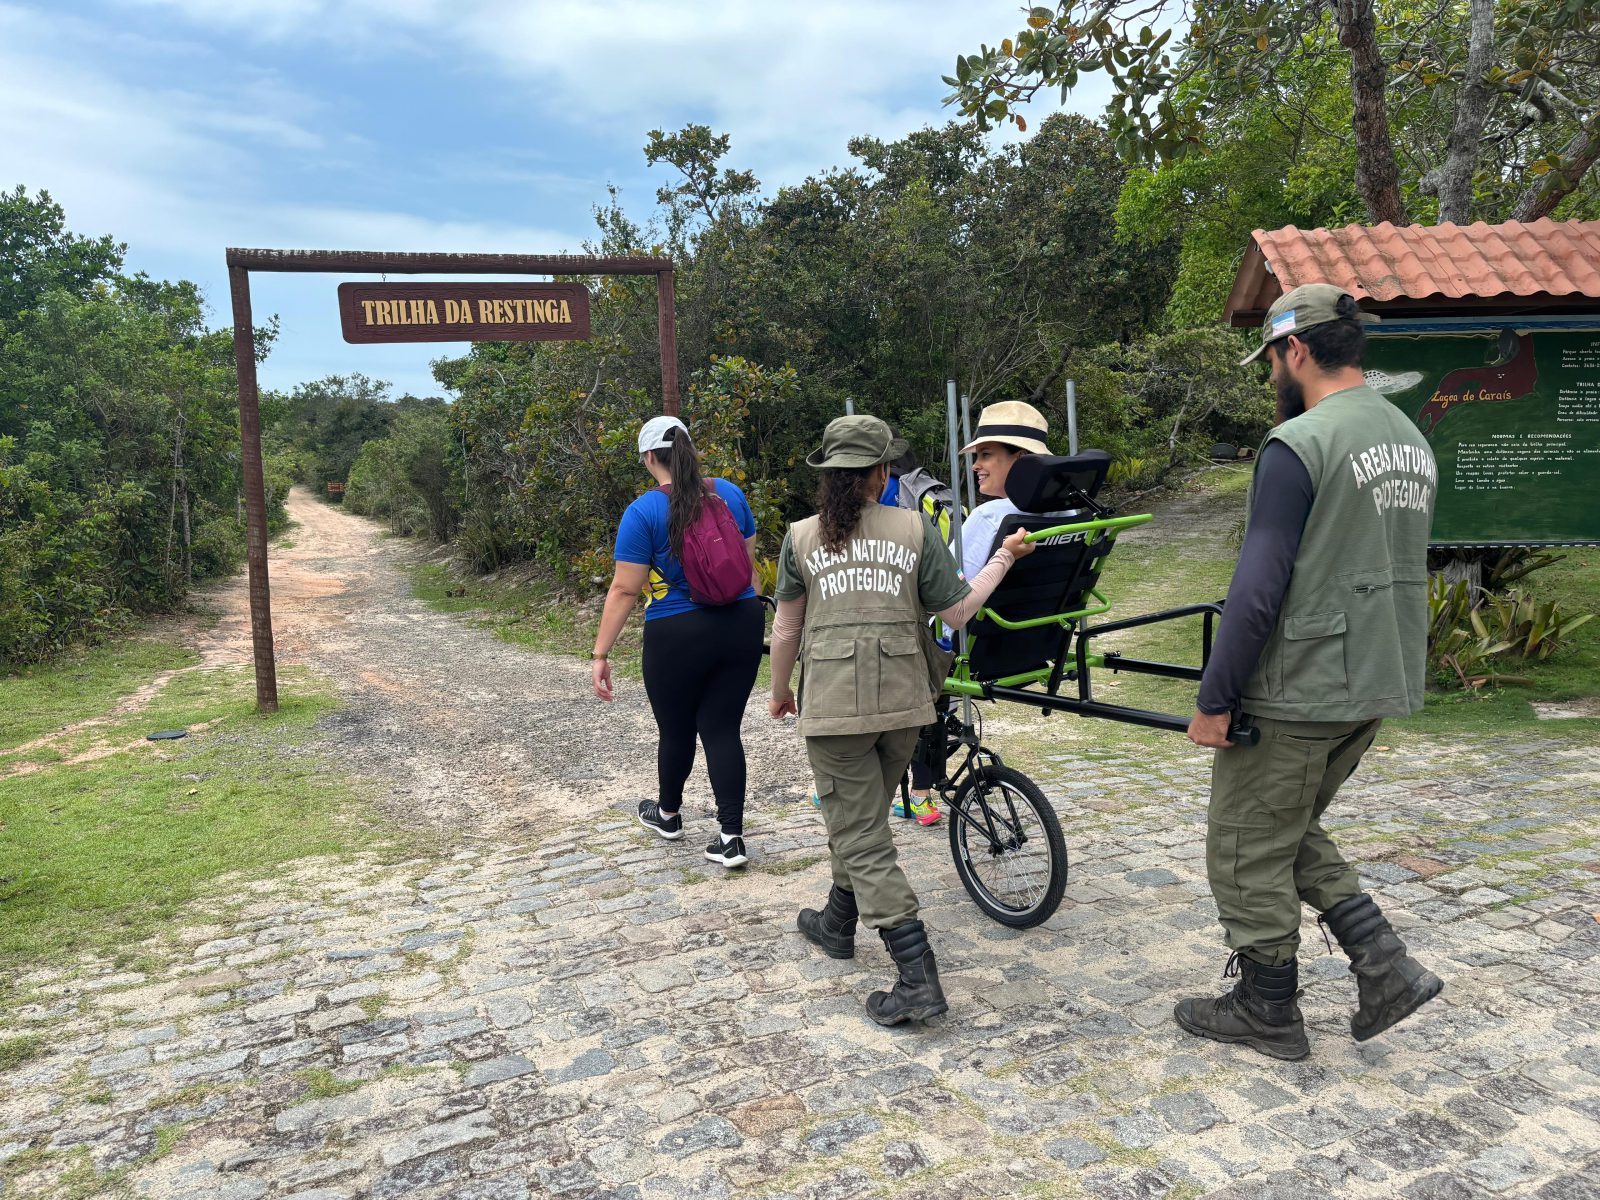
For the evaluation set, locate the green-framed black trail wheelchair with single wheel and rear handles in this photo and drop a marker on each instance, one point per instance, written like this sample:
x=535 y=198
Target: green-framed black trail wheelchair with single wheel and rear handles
x=1033 y=646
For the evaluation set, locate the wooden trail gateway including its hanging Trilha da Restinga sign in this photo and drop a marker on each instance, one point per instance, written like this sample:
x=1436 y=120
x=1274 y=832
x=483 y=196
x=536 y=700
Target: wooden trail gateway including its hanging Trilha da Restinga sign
x=418 y=313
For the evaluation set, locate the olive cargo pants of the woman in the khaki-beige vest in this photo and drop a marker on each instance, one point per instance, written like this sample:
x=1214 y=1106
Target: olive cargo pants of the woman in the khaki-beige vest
x=855 y=777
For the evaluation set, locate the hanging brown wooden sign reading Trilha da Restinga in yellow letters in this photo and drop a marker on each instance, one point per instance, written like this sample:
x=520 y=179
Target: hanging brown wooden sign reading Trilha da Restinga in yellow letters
x=463 y=313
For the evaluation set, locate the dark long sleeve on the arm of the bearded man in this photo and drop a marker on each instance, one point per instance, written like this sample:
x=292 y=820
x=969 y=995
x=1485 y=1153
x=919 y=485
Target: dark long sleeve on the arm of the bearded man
x=1278 y=519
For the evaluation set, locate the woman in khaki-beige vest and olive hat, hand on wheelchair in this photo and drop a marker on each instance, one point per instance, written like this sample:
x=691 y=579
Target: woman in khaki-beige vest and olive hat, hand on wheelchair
x=855 y=586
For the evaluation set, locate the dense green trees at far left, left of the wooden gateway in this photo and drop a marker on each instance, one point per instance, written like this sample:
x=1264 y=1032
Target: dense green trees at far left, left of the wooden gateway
x=119 y=438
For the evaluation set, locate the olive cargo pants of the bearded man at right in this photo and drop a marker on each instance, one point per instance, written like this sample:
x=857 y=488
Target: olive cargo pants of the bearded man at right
x=1266 y=849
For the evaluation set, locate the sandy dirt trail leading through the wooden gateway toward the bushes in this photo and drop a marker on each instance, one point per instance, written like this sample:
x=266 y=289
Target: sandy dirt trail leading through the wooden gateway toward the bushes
x=463 y=730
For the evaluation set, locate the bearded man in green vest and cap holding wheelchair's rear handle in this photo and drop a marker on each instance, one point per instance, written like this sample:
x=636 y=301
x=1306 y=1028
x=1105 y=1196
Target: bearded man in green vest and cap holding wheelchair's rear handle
x=1324 y=636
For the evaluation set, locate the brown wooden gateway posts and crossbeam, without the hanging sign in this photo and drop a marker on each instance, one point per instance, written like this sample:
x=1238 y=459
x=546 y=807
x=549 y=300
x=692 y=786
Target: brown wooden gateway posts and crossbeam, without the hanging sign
x=241 y=262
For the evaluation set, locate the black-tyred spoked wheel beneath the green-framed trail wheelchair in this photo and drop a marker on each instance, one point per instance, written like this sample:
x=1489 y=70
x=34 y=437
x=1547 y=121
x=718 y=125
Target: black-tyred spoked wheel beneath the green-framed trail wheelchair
x=1009 y=847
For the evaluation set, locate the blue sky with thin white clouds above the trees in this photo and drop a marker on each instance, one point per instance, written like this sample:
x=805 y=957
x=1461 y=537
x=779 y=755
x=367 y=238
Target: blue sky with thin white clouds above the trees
x=185 y=127
